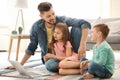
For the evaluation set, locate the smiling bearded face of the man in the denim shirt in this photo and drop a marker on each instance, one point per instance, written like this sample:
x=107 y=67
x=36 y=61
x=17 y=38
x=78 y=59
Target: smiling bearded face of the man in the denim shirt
x=49 y=17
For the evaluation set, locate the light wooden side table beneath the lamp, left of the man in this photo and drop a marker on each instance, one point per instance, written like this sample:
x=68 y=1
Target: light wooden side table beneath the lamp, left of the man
x=18 y=37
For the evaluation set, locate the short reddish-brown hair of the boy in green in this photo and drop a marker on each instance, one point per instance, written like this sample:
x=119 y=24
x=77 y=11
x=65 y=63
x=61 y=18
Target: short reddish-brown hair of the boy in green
x=103 y=28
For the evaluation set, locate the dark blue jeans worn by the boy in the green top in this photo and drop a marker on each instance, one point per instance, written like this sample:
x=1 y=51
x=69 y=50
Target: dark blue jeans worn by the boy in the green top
x=97 y=70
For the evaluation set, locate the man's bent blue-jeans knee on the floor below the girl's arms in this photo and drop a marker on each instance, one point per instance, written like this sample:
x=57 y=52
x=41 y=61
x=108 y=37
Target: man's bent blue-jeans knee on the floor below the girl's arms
x=52 y=65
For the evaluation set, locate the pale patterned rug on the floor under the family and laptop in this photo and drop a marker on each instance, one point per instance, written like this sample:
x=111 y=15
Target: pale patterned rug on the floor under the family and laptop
x=56 y=76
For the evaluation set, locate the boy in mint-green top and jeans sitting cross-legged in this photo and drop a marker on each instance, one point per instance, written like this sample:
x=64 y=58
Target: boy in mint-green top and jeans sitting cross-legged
x=102 y=63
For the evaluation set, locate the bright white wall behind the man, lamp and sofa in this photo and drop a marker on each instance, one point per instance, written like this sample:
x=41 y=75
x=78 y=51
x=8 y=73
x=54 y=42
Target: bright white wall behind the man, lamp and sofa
x=74 y=8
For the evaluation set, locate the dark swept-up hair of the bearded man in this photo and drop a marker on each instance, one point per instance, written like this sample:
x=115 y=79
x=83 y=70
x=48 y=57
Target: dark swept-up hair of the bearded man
x=44 y=6
